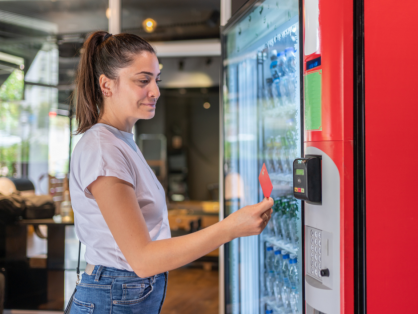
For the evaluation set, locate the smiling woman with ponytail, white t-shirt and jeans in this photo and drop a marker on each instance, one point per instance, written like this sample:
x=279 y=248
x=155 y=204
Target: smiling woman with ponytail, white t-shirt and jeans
x=119 y=205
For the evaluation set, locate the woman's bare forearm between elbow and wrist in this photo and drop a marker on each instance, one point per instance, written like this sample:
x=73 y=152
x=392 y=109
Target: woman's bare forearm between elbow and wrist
x=164 y=255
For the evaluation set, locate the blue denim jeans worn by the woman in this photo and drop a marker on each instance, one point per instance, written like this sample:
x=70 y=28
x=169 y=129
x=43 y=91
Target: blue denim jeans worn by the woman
x=114 y=291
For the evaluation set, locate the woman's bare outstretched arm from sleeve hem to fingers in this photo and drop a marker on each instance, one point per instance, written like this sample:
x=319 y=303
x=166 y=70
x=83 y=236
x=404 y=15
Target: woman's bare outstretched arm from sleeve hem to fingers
x=119 y=206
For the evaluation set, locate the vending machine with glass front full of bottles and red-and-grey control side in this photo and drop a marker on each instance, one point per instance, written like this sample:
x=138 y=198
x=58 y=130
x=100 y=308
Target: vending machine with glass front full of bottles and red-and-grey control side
x=287 y=101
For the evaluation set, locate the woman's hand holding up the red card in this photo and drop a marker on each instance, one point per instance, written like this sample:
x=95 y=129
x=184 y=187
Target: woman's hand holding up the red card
x=250 y=220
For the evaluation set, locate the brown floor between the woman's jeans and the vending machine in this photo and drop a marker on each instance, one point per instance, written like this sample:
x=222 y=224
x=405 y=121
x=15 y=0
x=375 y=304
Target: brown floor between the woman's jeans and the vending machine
x=192 y=290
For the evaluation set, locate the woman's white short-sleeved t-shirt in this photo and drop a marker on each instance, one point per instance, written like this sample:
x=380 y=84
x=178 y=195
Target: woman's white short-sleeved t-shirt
x=105 y=151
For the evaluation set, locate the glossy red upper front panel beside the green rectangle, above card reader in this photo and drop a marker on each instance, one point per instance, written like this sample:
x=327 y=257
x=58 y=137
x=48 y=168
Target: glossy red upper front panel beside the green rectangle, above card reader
x=336 y=51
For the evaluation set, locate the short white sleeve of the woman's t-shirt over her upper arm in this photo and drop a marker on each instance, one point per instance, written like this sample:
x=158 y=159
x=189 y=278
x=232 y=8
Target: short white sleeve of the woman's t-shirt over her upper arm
x=104 y=160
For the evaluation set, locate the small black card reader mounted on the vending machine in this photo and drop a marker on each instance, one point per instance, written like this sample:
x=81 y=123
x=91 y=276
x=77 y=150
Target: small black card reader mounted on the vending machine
x=307 y=179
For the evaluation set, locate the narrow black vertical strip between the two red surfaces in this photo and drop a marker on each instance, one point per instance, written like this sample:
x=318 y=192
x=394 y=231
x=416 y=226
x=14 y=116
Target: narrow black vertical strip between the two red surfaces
x=360 y=292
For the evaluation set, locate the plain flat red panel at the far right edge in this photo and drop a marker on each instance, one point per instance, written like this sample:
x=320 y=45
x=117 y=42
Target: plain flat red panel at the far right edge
x=391 y=46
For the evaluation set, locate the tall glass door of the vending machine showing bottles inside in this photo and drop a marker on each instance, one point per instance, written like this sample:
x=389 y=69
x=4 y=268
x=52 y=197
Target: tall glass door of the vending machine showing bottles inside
x=261 y=96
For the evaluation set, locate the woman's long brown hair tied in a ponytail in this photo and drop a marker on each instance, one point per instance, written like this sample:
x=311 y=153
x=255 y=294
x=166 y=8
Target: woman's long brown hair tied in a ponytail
x=103 y=53
